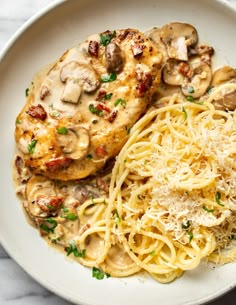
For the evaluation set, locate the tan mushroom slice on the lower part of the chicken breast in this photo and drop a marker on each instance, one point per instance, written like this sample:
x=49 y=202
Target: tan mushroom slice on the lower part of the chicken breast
x=74 y=142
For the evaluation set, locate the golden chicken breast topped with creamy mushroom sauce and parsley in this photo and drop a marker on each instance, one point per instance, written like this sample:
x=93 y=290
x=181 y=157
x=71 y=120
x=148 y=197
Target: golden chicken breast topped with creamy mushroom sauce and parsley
x=78 y=114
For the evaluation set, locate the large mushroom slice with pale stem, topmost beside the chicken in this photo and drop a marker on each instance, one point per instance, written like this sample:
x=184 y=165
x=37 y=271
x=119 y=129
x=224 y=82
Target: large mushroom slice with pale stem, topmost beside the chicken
x=178 y=37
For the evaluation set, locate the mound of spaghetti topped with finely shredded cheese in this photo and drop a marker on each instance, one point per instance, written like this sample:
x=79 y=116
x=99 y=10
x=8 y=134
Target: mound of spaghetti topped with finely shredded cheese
x=172 y=194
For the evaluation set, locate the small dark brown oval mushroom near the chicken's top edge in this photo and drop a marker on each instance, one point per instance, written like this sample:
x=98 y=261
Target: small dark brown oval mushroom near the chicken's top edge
x=114 y=58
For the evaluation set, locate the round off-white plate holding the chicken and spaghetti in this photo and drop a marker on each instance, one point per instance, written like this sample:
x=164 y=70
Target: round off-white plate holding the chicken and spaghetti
x=43 y=39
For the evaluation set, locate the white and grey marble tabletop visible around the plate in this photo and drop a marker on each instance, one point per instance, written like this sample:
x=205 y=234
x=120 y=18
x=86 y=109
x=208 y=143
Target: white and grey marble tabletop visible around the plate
x=17 y=287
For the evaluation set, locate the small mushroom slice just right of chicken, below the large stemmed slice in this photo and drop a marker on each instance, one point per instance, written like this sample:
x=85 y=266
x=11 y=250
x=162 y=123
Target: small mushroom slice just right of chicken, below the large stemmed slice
x=171 y=74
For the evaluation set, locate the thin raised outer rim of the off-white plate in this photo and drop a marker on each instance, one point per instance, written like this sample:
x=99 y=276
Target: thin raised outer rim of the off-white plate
x=226 y=4
